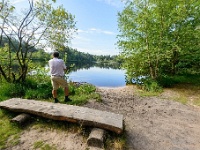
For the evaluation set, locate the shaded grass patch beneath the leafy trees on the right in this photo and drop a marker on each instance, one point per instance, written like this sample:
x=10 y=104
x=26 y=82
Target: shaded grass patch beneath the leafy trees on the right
x=186 y=87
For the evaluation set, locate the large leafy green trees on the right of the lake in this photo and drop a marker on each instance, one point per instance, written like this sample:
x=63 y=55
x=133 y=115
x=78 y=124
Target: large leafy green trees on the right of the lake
x=158 y=37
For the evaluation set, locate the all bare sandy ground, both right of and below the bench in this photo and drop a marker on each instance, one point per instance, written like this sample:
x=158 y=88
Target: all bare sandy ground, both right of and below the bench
x=151 y=123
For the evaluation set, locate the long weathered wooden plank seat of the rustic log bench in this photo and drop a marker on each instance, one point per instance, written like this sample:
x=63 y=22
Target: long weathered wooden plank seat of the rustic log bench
x=76 y=114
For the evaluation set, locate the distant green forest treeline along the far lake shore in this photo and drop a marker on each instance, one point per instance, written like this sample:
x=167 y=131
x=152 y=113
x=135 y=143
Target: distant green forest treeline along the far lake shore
x=68 y=54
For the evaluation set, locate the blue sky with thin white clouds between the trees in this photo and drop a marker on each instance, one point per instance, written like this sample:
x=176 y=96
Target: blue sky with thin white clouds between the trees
x=96 y=21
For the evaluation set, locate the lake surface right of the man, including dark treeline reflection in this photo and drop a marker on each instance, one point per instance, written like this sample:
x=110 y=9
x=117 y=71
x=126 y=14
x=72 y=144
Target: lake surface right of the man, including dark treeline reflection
x=98 y=74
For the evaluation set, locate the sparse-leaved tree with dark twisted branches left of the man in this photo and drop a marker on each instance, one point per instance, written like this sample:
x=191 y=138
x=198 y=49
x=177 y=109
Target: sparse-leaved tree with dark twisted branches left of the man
x=40 y=25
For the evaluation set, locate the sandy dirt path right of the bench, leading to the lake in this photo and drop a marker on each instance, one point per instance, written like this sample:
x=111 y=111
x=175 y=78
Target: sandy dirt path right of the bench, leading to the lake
x=153 y=123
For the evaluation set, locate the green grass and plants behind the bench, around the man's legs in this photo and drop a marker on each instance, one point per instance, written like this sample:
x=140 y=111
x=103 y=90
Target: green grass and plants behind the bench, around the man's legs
x=40 y=89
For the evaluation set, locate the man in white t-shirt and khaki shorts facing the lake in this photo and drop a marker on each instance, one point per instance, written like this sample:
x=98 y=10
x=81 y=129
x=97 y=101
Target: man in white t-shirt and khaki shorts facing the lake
x=57 y=70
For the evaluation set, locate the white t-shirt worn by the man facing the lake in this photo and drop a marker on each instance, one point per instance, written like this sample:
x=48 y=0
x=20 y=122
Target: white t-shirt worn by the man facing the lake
x=57 y=67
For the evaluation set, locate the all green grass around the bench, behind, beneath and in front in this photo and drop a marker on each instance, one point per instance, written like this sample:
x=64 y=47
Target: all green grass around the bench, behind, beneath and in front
x=39 y=89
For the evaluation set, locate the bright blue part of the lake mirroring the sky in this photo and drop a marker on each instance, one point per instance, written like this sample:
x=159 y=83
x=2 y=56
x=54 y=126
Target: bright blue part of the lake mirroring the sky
x=100 y=77
